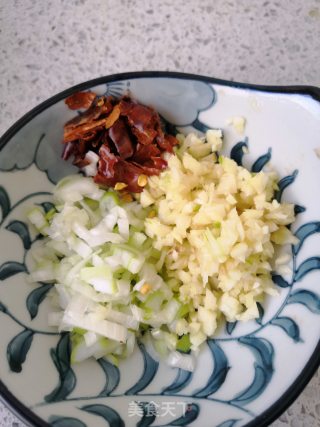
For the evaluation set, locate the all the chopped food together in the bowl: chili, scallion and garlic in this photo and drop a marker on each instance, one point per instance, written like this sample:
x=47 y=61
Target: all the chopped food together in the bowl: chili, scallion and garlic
x=163 y=257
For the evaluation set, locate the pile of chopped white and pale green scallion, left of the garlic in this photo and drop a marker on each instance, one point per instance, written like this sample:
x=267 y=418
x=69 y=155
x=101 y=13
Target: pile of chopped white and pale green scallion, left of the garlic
x=93 y=252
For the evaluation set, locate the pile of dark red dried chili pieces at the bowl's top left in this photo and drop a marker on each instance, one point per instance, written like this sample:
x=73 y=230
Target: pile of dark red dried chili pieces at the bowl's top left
x=127 y=137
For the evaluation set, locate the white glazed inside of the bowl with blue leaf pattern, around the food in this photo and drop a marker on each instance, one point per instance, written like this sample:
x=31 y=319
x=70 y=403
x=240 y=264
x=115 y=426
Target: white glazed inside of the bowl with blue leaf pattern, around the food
x=250 y=372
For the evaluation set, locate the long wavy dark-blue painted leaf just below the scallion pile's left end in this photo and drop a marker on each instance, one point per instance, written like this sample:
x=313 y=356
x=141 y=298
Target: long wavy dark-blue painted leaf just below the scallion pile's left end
x=67 y=380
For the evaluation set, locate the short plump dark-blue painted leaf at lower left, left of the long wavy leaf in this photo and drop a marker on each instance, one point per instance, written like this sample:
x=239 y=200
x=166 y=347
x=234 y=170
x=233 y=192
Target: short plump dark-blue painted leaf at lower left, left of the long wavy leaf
x=18 y=348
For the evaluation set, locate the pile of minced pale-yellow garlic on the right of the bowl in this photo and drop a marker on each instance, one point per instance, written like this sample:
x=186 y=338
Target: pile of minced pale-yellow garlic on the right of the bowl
x=218 y=224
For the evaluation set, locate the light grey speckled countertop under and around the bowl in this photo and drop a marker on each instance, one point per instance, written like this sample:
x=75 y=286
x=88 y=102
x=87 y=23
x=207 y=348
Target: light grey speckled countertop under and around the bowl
x=47 y=46
